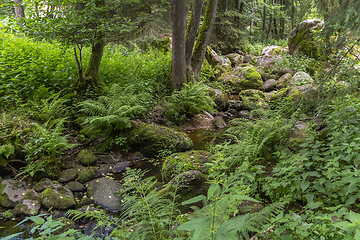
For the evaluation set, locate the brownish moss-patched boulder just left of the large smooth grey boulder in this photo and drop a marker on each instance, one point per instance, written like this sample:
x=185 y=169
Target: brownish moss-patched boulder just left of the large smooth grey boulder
x=57 y=197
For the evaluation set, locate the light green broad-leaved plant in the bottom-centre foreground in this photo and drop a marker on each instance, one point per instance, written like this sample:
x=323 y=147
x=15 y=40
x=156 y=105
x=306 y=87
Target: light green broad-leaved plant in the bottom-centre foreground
x=219 y=219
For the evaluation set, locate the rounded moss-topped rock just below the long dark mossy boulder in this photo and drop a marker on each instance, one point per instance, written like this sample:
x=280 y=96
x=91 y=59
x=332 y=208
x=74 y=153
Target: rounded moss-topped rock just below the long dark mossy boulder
x=185 y=161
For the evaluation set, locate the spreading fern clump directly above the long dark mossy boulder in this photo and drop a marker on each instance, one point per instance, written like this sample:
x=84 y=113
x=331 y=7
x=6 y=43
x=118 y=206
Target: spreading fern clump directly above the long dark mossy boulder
x=113 y=111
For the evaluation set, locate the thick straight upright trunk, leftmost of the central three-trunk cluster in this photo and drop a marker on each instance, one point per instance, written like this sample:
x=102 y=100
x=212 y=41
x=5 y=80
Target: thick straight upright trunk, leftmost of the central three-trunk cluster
x=178 y=61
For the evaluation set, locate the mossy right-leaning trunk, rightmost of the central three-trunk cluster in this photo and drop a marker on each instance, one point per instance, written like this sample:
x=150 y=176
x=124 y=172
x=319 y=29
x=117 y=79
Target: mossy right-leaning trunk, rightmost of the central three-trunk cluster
x=204 y=36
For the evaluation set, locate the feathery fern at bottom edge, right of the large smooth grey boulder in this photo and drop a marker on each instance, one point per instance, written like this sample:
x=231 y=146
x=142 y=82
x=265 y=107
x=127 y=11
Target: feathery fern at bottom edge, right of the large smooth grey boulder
x=146 y=214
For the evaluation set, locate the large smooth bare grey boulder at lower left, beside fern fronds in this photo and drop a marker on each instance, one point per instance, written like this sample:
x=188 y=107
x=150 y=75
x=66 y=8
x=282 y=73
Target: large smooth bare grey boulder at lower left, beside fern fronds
x=103 y=192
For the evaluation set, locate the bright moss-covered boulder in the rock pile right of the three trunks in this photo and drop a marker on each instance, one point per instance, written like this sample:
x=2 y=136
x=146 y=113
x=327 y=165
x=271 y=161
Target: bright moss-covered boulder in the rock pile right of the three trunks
x=242 y=78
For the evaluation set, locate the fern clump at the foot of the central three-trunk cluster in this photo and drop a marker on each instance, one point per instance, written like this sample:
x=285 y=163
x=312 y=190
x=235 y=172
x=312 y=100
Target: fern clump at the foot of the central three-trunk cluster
x=192 y=99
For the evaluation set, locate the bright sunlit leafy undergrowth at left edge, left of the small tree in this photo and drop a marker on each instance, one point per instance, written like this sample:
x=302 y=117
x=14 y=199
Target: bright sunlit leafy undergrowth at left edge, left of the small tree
x=26 y=67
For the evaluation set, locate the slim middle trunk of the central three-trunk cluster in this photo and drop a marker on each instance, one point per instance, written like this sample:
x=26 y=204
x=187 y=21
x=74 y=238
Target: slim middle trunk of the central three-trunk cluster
x=192 y=30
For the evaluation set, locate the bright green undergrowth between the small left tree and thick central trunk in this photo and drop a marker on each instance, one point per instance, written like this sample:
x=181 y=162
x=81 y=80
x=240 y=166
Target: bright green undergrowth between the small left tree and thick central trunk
x=147 y=71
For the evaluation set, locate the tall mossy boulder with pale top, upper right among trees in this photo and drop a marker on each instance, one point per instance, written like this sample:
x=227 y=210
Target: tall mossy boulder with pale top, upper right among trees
x=302 y=39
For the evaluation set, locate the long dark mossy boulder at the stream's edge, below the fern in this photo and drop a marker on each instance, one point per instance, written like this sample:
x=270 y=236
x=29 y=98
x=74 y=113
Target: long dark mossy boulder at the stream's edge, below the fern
x=150 y=139
